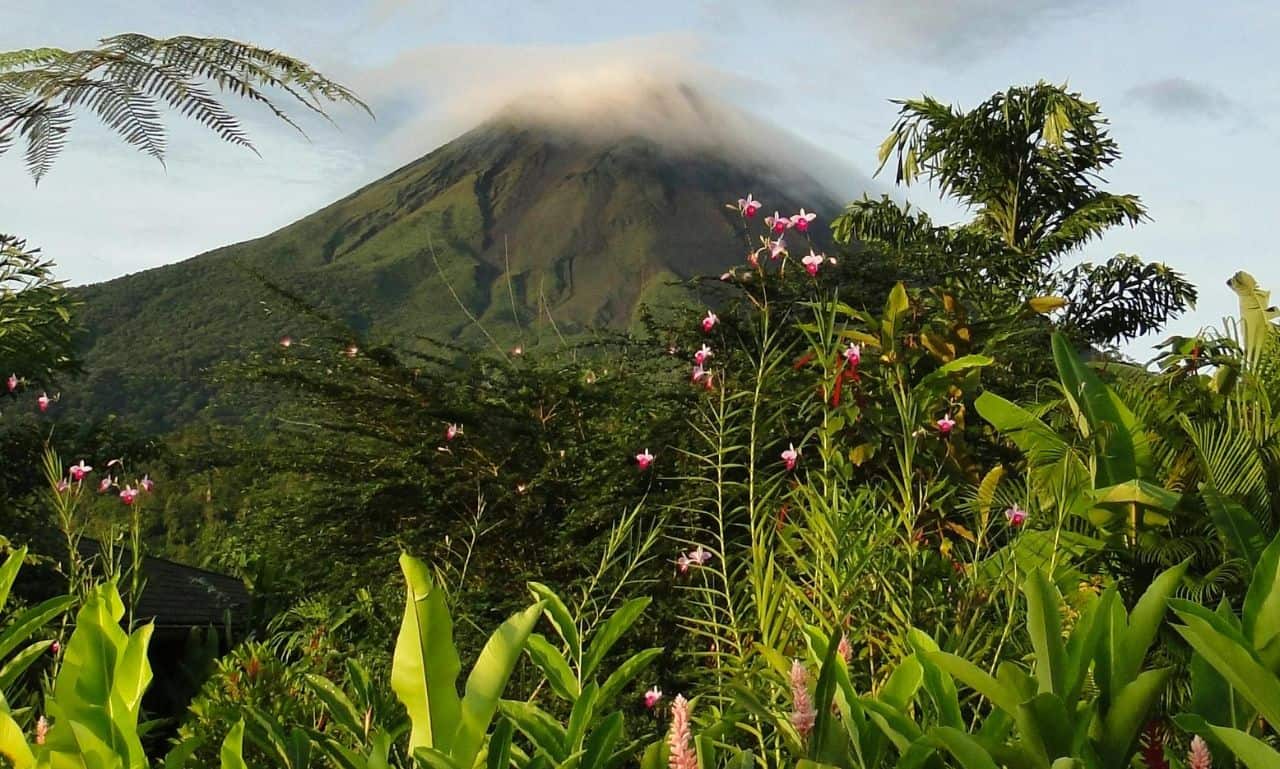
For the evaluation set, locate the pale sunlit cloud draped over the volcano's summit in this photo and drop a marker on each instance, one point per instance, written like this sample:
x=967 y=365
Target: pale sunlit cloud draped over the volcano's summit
x=651 y=88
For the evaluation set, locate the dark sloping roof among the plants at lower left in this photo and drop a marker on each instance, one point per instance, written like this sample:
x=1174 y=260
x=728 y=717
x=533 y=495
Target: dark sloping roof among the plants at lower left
x=182 y=597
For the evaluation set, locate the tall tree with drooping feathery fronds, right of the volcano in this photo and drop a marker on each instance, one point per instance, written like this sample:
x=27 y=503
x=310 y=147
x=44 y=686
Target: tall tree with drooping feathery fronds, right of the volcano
x=1028 y=163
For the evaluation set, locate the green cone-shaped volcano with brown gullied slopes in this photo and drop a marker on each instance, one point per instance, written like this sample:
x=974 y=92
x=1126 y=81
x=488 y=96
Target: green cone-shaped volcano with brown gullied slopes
x=519 y=221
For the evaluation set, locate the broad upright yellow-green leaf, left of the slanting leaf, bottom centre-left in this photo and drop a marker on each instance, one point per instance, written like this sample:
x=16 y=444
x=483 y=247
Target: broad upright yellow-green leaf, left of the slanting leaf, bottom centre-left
x=426 y=665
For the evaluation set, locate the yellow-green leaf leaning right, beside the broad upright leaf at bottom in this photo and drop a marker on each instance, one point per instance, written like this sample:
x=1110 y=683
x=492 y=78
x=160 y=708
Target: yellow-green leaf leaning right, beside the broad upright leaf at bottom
x=488 y=680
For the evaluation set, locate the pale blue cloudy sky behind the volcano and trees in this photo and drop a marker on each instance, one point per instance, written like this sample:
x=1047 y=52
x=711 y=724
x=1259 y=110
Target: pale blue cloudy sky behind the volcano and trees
x=1187 y=86
